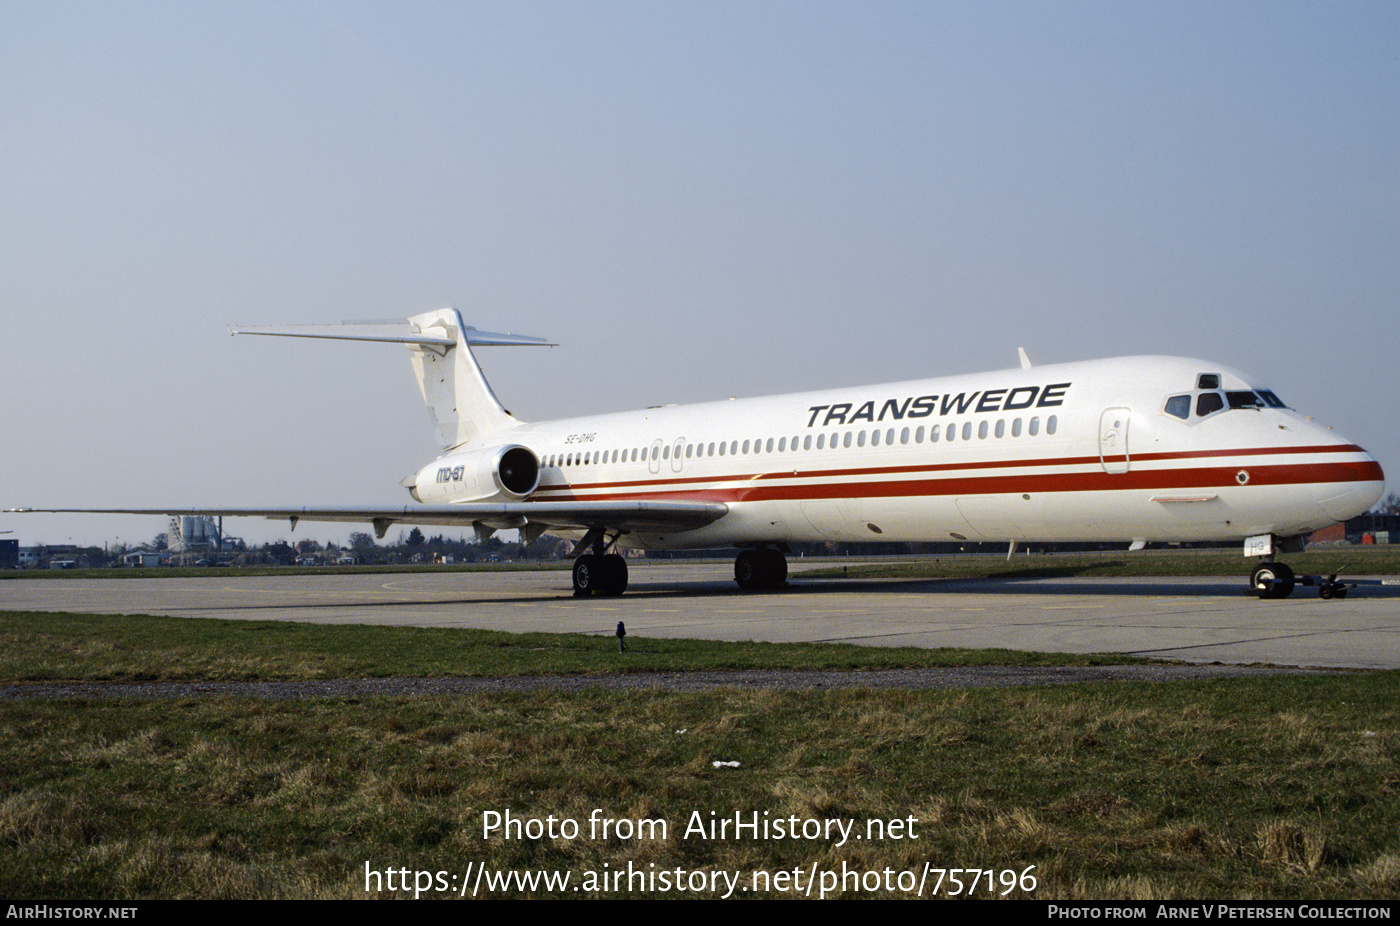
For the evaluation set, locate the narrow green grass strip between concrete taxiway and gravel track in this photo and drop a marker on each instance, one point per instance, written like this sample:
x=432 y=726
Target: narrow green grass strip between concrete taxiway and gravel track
x=47 y=647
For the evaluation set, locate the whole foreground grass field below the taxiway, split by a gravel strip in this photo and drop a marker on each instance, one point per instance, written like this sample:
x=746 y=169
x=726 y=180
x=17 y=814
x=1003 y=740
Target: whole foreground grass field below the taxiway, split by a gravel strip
x=1277 y=788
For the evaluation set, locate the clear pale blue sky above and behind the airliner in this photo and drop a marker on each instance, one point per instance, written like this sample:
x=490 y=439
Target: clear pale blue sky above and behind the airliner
x=695 y=200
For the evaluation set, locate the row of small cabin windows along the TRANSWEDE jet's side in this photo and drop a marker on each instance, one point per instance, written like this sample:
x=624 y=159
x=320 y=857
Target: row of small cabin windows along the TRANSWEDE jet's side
x=821 y=442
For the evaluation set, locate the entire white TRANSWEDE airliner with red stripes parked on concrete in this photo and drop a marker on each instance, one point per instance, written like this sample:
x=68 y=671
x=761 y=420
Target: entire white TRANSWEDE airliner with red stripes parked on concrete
x=1130 y=449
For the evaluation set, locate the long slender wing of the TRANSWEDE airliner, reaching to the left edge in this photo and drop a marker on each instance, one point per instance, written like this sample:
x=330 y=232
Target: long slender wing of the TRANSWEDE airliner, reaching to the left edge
x=534 y=518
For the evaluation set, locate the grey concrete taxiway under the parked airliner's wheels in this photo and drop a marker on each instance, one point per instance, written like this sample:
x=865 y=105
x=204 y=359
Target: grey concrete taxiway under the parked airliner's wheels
x=1193 y=620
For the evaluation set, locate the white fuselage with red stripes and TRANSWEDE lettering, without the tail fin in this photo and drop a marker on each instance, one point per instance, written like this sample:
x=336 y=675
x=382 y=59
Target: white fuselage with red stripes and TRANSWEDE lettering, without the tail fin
x=1079 y=452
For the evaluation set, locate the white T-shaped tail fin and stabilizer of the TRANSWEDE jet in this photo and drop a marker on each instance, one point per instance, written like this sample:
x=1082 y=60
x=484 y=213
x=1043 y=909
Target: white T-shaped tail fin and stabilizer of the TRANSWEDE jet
x=454 y=389
